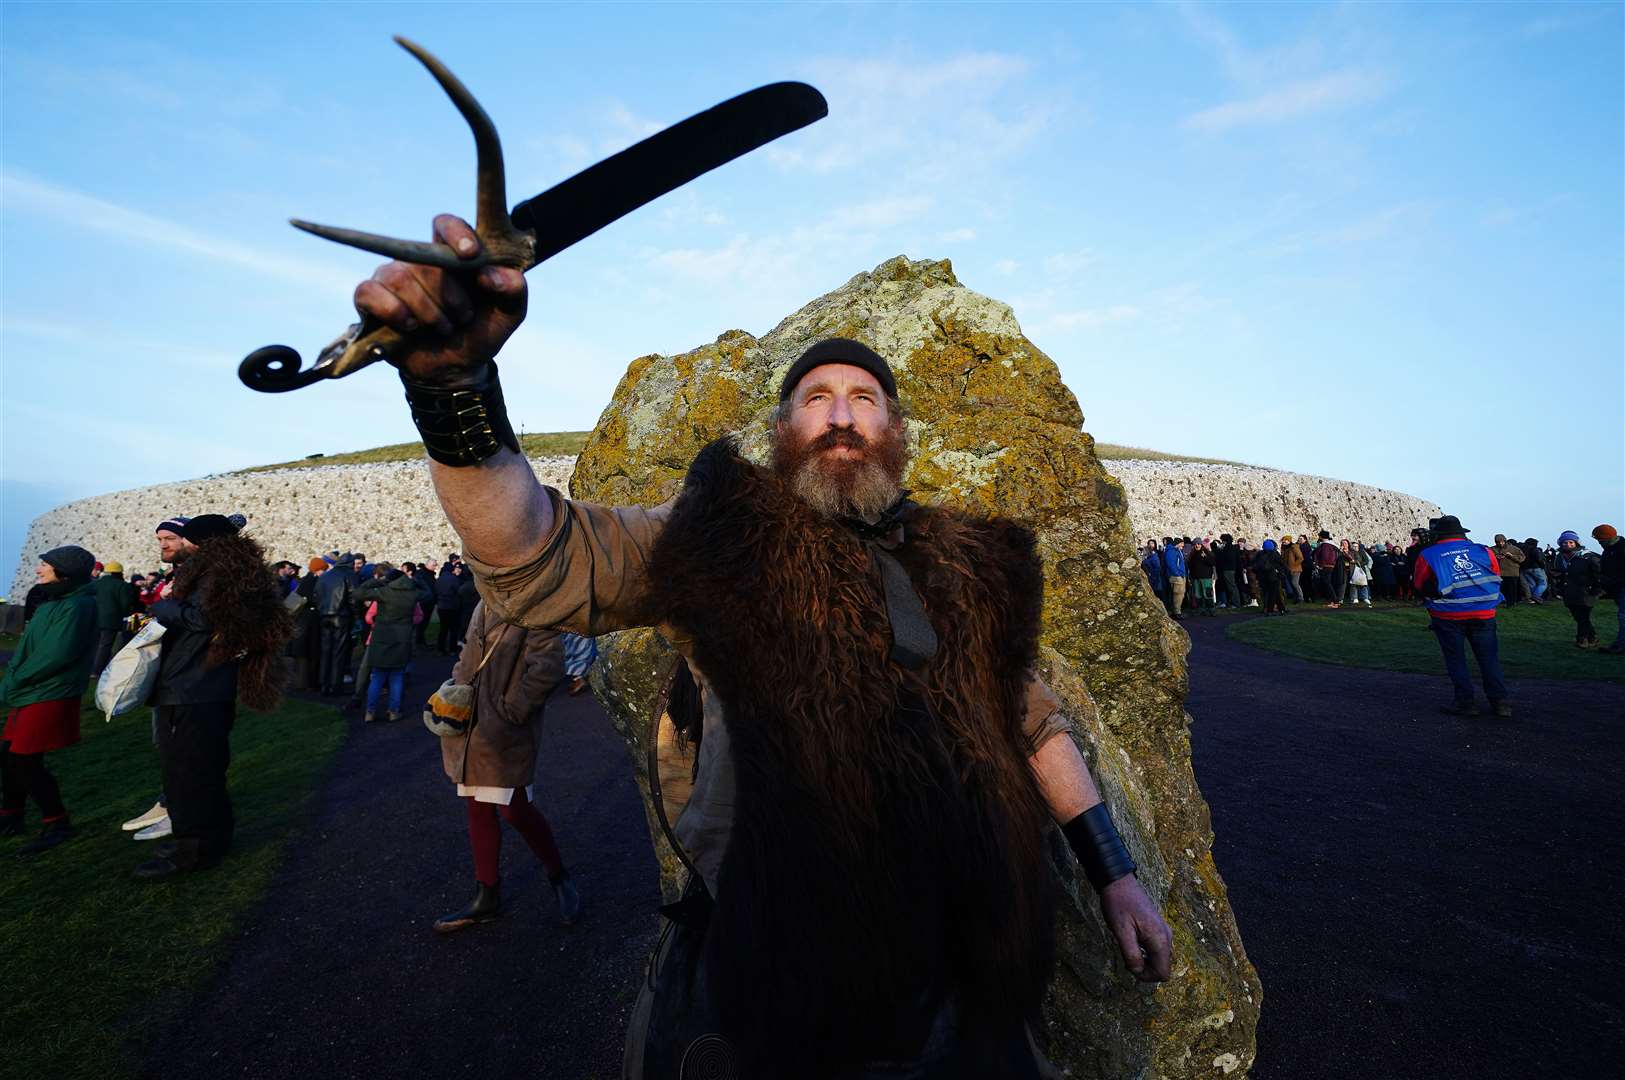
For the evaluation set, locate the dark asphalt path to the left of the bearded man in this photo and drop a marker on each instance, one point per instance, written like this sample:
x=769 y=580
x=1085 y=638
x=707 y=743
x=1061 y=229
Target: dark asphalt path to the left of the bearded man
x=340 y=974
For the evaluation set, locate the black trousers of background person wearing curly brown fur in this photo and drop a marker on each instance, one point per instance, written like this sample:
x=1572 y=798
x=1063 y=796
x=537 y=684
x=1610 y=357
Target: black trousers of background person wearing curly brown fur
x=194 y=748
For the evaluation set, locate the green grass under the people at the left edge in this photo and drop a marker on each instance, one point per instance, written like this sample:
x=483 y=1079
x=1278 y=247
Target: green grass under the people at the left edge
x=93 y=961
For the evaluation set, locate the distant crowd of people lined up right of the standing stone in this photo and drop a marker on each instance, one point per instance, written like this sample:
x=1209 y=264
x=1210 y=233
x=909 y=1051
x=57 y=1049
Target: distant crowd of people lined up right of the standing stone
x=1203 y=576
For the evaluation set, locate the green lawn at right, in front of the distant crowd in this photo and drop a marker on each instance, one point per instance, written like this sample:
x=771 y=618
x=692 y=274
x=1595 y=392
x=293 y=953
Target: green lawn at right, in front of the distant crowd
x=1538 y=642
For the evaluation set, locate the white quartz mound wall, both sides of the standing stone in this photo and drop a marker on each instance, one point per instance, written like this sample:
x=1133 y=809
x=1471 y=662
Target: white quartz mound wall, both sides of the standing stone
x=389 y=511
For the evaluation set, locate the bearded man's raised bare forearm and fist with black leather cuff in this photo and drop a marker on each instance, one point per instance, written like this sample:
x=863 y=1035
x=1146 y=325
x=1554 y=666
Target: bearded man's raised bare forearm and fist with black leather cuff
x=457 y=324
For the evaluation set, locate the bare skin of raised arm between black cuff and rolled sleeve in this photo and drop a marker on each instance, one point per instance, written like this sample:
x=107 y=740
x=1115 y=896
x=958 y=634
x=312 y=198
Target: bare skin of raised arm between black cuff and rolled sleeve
x=498 y=508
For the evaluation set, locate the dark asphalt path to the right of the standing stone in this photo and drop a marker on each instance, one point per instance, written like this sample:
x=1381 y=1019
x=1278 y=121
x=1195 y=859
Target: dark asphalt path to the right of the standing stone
x=1423 y=896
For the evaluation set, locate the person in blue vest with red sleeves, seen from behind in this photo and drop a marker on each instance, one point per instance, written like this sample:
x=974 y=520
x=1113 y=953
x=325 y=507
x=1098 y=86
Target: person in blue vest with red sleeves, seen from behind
x=1460 y=584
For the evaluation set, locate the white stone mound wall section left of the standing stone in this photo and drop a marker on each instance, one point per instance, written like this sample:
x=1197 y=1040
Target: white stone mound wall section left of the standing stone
x=386 y=511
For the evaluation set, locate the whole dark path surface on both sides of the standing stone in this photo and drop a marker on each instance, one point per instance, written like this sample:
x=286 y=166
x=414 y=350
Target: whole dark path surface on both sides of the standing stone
x=1424 y=897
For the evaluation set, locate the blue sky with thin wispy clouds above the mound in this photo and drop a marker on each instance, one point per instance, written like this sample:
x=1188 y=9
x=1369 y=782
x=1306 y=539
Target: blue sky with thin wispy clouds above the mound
x=1380 y=243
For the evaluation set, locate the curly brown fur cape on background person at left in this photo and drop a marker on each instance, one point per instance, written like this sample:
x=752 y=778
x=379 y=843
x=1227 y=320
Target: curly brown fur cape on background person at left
x=240 y=597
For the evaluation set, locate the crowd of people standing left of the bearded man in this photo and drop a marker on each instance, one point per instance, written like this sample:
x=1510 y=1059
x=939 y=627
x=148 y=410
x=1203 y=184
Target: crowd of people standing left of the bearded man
x=345 y=628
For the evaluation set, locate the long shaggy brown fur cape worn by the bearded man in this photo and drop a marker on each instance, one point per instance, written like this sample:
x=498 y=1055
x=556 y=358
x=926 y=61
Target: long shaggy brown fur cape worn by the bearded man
x=888 y=831
